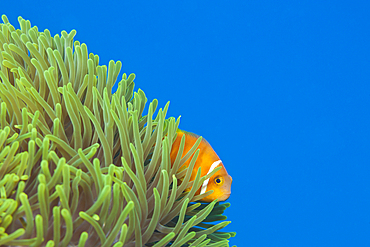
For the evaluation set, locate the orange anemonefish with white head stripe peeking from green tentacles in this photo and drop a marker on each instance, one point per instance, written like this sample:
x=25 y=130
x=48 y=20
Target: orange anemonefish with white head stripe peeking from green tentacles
x=208 y=160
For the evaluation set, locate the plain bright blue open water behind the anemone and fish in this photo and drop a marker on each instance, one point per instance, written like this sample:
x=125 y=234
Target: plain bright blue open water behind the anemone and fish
x=279 y=88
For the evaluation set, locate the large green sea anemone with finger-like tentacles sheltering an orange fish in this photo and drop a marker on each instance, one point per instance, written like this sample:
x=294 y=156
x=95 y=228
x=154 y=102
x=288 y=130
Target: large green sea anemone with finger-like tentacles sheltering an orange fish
x=82 y=166
